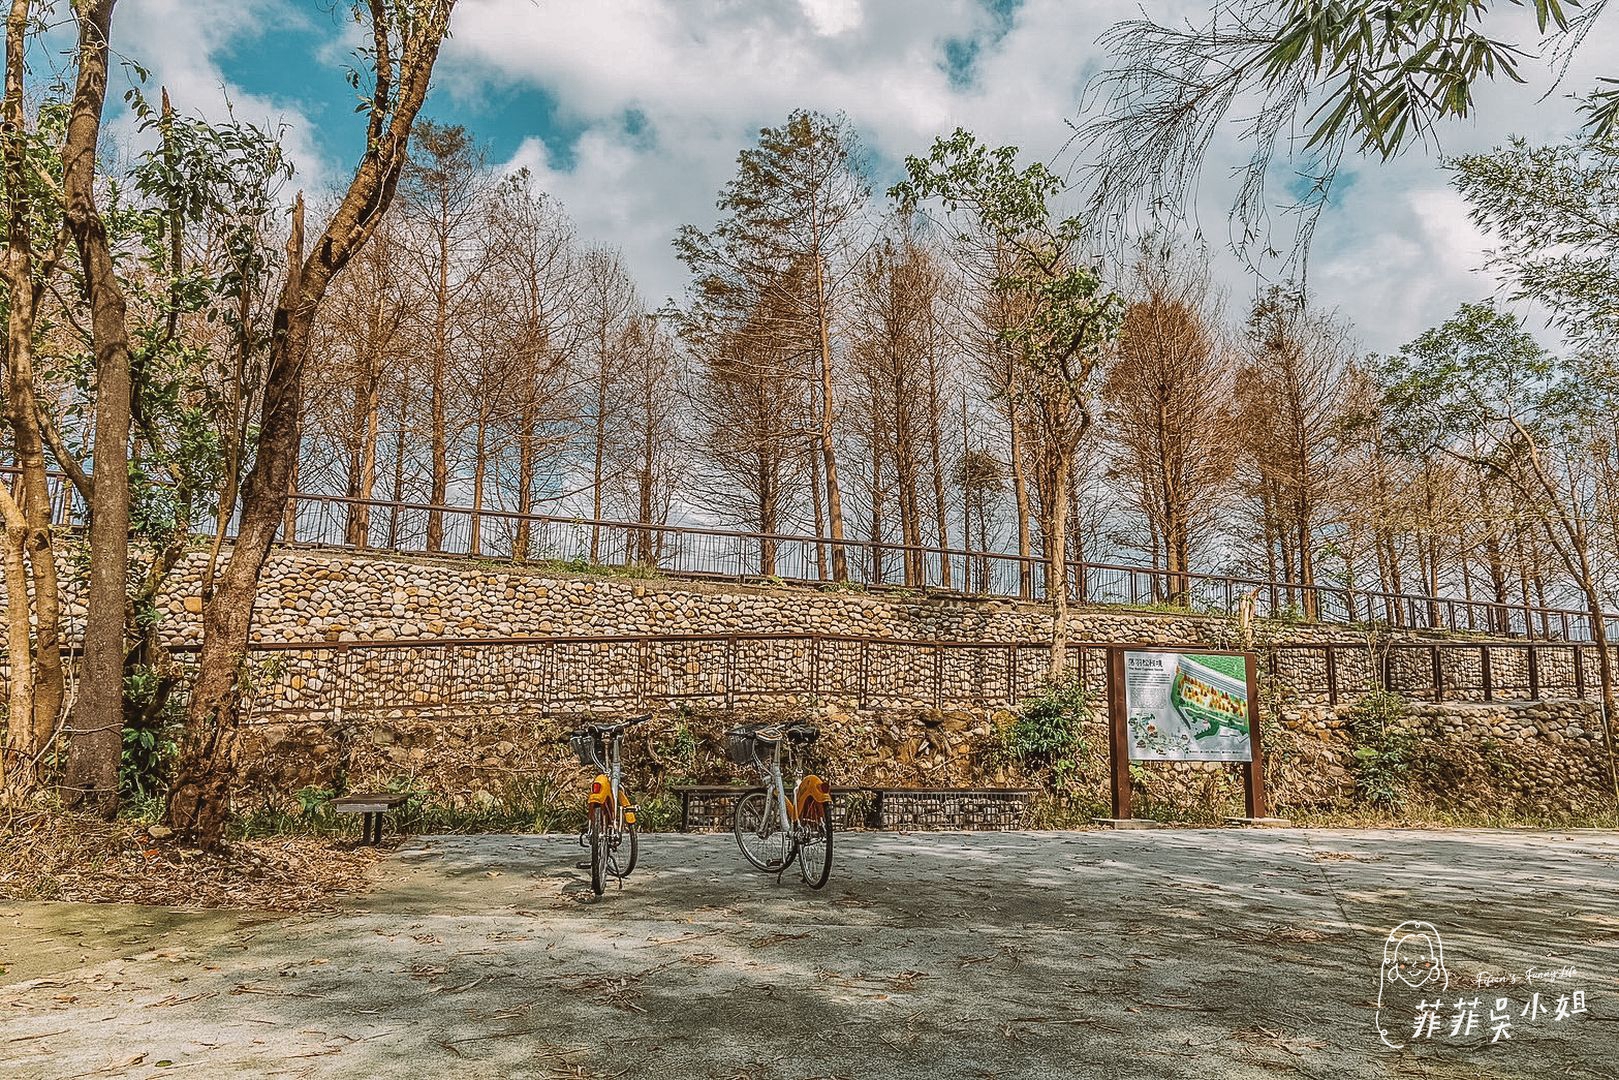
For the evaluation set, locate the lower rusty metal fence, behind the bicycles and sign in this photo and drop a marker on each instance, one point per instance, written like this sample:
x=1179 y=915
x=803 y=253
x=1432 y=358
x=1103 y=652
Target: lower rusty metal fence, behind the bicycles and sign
x=462 y=678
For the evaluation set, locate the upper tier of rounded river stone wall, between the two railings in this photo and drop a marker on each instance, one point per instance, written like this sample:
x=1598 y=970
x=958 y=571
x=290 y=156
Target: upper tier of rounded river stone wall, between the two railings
x=313 y=595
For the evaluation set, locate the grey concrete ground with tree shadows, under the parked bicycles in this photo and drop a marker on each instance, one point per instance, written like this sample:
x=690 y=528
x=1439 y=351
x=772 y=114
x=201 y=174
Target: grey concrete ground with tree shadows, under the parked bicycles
x=1084 y=955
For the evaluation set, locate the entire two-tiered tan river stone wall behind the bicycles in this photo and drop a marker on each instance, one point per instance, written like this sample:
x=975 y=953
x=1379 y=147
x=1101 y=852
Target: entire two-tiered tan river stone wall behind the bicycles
x=467 y=725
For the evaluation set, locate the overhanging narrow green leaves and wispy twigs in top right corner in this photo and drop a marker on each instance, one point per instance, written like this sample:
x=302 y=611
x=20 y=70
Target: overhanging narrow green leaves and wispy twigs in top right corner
x=1302 y=82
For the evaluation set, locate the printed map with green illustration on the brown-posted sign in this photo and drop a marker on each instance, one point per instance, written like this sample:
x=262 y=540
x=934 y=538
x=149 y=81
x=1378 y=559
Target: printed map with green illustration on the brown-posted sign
x=1188 y=707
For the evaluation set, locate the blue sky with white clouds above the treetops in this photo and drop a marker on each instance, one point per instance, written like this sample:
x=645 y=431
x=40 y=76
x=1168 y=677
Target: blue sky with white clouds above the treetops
x=632 y=113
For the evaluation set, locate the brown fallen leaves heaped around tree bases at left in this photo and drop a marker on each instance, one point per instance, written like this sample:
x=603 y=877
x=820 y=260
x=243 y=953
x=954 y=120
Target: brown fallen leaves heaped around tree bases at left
x=75 y=857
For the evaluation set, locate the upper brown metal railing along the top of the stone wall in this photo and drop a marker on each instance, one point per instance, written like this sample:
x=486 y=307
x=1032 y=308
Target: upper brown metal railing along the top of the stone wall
x=737 y=555
